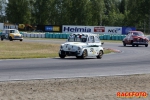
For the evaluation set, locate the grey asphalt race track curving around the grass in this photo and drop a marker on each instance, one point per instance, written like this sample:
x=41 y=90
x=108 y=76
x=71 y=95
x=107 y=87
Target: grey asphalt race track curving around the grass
x=131 y=60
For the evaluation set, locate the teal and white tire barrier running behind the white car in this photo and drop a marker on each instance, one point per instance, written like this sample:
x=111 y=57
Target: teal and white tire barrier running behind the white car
x=65 y=36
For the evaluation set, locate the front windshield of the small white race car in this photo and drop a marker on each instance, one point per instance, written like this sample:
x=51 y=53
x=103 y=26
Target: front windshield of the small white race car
x=77 y=38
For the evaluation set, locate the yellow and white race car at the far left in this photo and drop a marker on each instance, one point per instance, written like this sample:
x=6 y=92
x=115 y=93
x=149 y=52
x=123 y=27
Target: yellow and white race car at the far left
x=11 y=34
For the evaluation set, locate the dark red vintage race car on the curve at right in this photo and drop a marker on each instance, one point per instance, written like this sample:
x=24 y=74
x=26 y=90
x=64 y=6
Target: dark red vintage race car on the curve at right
x=135 y=38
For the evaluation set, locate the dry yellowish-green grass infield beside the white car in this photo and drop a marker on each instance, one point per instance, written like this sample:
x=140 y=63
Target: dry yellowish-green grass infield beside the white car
x=22 y=50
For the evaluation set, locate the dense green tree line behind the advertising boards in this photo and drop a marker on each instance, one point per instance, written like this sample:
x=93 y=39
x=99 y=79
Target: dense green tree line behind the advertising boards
x=135 y=13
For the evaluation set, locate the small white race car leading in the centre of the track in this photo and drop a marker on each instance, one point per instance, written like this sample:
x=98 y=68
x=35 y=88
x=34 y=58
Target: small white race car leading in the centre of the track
x=82 y=45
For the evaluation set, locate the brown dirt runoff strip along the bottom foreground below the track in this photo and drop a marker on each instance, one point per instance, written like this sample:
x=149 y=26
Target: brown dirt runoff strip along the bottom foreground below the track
x=130 y=87
